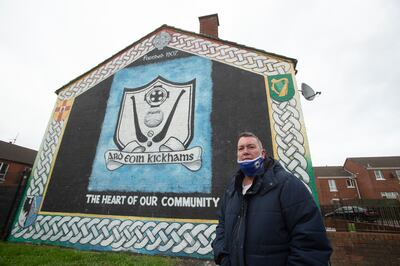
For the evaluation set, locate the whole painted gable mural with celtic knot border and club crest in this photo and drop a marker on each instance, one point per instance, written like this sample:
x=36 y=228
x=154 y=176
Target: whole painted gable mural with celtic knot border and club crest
x=139 y=150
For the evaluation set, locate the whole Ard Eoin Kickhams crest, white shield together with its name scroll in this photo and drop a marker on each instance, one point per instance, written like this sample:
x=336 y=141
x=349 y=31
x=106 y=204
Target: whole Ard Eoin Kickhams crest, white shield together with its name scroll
x=155 y=126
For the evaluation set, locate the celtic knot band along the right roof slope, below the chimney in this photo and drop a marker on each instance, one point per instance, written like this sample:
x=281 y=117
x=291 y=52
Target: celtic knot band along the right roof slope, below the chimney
x=251 y=61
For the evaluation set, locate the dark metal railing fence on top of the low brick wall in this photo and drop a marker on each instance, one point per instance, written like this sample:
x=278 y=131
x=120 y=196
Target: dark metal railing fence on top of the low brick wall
x=362 y=218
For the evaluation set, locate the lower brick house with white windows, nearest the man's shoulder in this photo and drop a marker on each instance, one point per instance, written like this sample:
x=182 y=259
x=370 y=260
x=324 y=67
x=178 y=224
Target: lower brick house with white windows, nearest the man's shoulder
x=334 y=184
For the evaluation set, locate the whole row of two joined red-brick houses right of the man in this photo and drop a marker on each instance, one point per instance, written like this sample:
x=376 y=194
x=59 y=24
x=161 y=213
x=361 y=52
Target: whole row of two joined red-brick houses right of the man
x=359 y=178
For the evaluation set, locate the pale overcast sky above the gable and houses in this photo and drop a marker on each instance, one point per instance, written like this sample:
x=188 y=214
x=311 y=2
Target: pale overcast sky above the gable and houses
x=349 y=50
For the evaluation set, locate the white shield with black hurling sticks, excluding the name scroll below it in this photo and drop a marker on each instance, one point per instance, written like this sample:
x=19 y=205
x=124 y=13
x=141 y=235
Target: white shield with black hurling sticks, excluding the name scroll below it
x=154 y=114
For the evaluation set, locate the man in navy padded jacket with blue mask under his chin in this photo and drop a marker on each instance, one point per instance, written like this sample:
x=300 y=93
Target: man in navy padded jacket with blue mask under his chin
x=267 y=215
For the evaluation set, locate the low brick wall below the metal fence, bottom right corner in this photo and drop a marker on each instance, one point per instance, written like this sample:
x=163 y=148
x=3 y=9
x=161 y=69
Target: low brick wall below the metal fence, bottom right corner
x=364 y=248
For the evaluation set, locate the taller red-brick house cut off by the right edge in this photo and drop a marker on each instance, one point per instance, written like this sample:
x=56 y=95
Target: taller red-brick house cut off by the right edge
x=377 y=177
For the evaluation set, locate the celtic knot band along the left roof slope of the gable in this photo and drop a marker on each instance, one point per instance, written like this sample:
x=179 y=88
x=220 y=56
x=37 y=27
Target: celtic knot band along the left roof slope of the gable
x=108 y=69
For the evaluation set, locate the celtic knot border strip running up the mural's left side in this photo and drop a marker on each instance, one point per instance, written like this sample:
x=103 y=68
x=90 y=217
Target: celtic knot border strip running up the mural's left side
x=45 y=159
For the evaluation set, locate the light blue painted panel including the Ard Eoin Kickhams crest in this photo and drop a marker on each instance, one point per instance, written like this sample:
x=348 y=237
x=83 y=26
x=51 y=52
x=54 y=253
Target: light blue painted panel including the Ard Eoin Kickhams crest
x=156 y=130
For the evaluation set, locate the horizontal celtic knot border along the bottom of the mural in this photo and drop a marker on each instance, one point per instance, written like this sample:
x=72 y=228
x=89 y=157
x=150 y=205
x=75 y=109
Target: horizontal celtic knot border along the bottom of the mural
x=122 y=234
